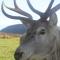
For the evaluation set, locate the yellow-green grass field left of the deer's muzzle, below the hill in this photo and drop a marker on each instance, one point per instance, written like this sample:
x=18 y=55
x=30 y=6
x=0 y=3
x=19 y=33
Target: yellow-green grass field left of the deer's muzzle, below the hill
x=8 y=47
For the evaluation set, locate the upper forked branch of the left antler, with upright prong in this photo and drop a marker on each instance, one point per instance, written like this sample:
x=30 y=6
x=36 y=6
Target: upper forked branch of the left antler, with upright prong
x=18 y=10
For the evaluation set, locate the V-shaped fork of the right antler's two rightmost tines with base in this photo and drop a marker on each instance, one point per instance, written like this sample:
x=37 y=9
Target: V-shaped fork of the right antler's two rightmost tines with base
x=50 y=11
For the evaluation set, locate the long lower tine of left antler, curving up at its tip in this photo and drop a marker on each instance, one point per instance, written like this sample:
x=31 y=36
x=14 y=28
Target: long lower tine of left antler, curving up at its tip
x=23 y=19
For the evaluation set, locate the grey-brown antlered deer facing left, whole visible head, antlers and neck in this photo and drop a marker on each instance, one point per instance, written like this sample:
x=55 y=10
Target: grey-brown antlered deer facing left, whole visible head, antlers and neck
x=41 y=41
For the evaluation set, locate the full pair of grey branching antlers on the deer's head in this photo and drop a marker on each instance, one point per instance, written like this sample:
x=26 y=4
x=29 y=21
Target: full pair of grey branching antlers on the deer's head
x=29 y=19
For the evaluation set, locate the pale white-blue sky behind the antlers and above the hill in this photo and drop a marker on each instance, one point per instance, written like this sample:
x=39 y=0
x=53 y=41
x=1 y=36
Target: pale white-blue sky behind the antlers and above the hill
x=40 y=5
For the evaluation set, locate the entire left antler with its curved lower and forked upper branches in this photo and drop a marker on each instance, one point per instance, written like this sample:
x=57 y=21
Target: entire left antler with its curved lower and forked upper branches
x=18 y=10
